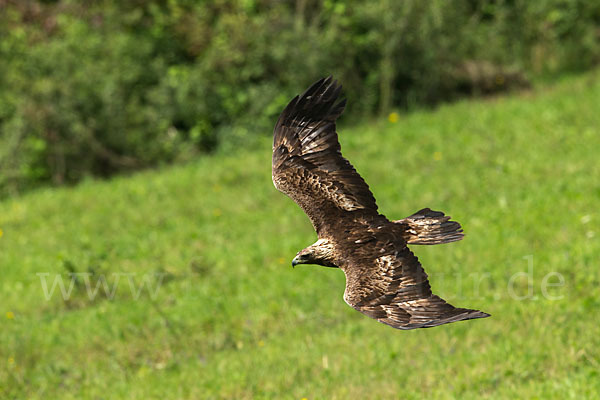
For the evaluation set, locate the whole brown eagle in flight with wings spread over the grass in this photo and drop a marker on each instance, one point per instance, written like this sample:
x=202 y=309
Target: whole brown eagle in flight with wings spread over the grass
x=384 y=279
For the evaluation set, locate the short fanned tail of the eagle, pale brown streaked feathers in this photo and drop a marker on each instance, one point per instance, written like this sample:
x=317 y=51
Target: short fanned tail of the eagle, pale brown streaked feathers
x=430 y=227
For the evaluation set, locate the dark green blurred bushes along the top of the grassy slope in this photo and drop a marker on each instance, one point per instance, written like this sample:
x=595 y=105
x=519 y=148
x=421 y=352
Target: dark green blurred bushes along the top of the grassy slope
x=95 y=88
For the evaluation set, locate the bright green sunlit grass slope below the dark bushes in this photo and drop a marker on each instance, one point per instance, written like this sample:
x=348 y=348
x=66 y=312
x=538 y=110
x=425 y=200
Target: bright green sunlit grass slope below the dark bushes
x=231 y=318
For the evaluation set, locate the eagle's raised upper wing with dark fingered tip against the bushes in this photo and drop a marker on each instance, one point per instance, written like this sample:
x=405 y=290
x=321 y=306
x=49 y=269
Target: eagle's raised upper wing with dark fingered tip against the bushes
x=307 y=162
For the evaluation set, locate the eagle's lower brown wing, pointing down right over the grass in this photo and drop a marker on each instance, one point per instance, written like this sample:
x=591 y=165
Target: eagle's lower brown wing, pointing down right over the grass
x=394 y=289
